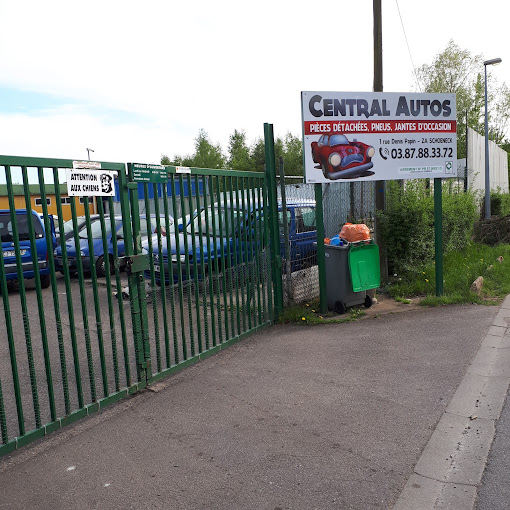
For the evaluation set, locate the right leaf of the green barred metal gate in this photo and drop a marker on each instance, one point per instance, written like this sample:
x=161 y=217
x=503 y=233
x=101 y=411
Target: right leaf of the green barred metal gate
x=208 y=279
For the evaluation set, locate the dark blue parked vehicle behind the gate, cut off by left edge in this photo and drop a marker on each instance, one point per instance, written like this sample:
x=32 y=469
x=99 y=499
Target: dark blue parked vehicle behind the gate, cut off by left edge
x=8 y=247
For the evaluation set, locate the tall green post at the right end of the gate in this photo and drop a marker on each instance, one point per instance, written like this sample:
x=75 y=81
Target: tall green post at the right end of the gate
x=274 y=231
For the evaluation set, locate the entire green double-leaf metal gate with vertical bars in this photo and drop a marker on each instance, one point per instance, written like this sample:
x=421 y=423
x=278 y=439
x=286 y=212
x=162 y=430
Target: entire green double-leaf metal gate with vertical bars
x=162 y=296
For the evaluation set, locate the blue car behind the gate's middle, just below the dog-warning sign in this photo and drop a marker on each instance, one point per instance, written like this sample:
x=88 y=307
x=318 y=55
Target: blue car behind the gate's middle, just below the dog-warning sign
x=100 y=259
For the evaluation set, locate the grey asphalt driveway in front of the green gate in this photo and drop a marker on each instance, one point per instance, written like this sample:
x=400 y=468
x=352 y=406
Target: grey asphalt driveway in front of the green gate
x=335 y=416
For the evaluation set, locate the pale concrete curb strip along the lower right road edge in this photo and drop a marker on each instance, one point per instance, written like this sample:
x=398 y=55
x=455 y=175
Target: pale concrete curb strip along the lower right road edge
x=453 y=462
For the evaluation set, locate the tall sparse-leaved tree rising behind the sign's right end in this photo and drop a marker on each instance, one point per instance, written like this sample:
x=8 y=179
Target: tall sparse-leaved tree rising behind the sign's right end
x=455 y=70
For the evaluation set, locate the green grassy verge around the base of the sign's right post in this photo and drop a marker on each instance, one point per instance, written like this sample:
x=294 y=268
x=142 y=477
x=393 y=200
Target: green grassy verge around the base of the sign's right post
x=460 y=269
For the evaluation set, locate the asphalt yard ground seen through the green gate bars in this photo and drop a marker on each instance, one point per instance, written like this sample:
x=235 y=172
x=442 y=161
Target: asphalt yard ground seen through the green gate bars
x=189 y=329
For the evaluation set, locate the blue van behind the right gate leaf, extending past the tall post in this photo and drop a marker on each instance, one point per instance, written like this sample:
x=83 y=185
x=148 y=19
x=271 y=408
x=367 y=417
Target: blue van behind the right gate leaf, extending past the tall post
x=239 y=238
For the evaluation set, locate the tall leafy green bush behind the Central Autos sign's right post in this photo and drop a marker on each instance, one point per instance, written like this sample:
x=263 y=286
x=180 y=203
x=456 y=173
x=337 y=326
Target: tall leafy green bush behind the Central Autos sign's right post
x=407 y=224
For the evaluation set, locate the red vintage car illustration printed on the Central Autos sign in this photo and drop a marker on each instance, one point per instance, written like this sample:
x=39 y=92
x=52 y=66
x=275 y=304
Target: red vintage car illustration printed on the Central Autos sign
x=340 y=159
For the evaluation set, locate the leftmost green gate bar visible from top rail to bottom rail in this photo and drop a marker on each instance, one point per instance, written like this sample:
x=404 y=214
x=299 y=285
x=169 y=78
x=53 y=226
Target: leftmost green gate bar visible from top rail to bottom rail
x=23 y=299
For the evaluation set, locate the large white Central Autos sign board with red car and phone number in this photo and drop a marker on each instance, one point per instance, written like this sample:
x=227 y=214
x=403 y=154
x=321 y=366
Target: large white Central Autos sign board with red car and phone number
x=378 y=136
